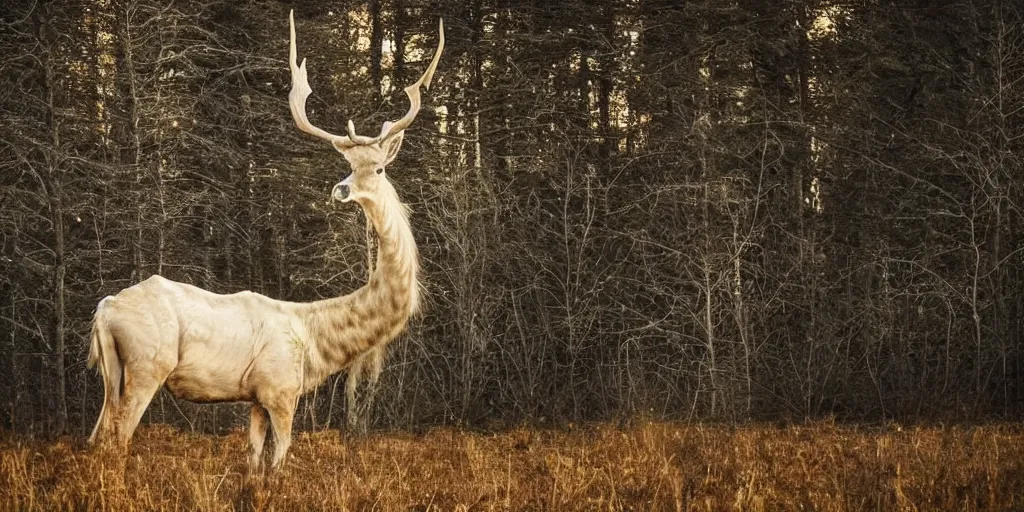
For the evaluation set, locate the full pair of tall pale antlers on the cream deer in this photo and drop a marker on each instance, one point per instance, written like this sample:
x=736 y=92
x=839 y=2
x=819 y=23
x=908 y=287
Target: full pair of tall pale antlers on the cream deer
x=301 y=92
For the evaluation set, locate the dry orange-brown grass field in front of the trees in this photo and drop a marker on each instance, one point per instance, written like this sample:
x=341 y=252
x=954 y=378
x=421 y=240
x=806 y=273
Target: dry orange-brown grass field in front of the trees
x=656 y=466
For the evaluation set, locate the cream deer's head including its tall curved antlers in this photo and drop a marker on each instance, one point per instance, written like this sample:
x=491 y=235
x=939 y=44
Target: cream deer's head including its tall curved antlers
x=367 y=156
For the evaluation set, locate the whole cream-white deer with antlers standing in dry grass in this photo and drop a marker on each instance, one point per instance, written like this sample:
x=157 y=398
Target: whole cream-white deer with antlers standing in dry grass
x=247 y=348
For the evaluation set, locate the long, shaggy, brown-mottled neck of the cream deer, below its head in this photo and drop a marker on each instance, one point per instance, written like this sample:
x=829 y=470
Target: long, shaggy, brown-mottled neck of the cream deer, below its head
x=347 y=327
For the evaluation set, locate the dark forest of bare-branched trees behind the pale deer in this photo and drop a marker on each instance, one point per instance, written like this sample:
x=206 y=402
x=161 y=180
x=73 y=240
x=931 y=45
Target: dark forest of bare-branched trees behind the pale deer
x=721 y=210
